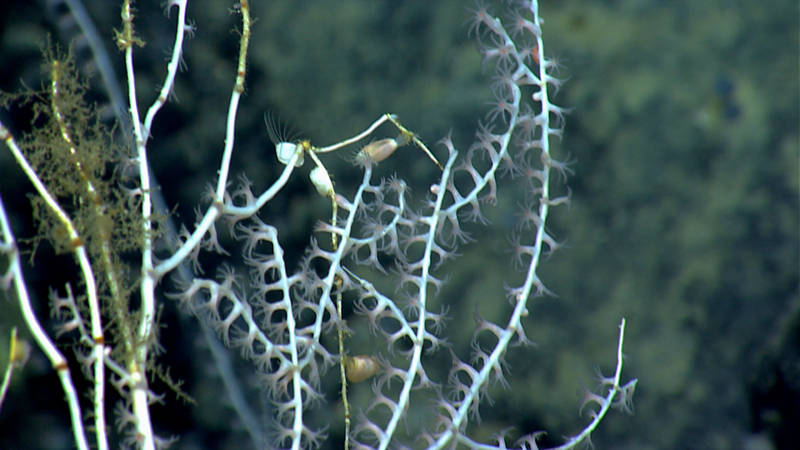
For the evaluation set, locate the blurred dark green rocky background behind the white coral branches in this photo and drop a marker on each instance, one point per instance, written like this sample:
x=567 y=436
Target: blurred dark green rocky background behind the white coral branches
x=683 y=131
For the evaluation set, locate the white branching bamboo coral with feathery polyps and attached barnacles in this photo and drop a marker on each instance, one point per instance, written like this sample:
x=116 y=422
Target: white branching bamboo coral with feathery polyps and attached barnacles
x=280 y=317
